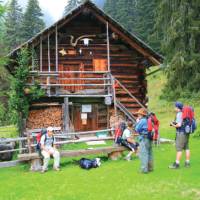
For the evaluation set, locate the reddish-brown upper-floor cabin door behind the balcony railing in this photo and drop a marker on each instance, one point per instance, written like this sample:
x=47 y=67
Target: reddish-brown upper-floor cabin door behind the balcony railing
x=73 y=77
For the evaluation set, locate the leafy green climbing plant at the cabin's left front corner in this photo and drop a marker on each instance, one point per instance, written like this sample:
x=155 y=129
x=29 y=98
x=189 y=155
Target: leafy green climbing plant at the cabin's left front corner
x=19 y=101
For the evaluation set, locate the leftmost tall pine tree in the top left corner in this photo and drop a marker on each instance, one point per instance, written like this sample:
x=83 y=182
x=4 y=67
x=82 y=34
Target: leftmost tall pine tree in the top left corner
x=12 y=25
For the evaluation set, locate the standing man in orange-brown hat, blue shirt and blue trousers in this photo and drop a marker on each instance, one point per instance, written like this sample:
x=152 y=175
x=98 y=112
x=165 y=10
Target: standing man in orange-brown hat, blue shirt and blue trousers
x=145 y=141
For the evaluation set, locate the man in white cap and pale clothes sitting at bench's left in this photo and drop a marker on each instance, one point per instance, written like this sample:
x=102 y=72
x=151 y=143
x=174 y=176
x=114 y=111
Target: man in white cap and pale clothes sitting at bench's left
x=48 y=149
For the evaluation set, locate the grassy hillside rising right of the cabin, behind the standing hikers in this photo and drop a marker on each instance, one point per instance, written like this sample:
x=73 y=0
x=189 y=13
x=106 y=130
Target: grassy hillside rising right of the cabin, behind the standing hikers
x=163 y=108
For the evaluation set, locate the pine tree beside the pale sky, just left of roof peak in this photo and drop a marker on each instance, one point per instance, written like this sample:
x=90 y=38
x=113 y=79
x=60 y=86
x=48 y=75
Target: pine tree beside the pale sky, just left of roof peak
x=32 y=22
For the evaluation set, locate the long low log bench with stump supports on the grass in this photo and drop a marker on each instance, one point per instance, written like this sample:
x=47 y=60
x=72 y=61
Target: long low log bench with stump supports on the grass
x=114 y=152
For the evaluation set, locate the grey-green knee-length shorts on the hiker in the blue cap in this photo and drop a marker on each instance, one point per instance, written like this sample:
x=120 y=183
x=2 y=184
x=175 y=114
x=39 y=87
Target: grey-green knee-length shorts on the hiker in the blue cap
x=182 y=141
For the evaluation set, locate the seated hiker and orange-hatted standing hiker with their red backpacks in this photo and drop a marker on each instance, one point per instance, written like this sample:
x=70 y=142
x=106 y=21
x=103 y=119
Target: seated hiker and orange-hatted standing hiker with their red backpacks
x=139 y=138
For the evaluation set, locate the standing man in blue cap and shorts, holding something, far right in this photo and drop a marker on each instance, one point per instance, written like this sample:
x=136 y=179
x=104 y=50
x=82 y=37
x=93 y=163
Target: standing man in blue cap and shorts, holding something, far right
x=182 y=139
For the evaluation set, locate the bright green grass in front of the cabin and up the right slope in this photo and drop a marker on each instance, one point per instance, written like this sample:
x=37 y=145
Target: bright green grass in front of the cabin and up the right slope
x=114 y=180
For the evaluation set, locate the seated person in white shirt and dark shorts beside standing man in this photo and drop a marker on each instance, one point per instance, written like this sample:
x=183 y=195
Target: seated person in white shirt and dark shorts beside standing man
x=128 y=140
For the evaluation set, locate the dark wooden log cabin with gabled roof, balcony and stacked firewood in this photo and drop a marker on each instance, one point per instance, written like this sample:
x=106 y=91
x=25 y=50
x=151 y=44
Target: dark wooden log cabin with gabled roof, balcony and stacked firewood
x=88 y=65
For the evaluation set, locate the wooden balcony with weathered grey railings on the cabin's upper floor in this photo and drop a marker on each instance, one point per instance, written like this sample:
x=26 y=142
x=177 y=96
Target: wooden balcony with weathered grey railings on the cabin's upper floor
x=73 y=83
